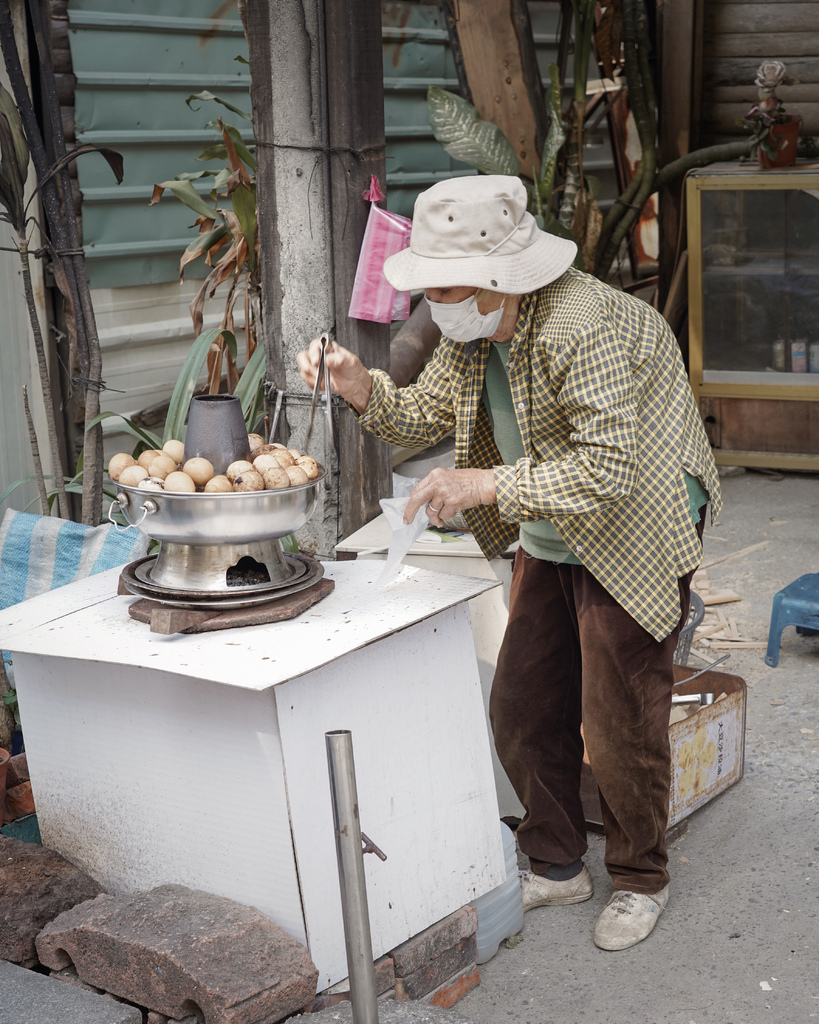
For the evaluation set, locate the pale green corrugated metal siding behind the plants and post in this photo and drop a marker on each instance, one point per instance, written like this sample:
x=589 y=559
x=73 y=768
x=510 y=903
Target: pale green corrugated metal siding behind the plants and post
x=138 y=61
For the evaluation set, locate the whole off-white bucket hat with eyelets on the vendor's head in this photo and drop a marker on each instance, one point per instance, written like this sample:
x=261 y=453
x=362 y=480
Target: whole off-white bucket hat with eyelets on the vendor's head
x=475 y=232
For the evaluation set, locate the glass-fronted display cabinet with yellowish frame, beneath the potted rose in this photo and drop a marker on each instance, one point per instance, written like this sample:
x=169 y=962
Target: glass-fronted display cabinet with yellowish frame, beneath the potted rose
x=754 y=313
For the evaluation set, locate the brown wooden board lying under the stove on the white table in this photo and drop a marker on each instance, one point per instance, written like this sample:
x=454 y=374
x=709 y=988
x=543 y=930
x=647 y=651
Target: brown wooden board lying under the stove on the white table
x=167 y=620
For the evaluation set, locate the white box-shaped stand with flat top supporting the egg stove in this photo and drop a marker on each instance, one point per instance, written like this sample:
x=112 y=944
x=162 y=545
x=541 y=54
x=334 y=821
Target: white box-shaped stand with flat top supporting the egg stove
x=201 y=760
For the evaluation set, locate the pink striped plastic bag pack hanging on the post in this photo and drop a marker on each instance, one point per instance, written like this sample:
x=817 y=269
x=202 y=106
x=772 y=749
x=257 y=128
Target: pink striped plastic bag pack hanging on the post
x=373 y=297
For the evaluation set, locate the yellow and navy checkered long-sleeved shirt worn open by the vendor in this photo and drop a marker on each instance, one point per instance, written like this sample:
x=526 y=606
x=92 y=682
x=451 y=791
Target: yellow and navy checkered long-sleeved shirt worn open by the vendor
x=609 y=423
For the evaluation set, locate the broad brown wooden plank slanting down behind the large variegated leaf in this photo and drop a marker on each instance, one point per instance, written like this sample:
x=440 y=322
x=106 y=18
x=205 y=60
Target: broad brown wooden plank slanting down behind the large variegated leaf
x=501 y=72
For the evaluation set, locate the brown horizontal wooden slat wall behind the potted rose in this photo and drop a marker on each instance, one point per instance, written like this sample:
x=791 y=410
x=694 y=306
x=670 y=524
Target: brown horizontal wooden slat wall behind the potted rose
x=739 y=35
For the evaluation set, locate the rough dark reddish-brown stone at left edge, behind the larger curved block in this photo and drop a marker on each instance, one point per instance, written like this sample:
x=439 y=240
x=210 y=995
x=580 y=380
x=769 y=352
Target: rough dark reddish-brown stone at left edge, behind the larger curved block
x=37 y=885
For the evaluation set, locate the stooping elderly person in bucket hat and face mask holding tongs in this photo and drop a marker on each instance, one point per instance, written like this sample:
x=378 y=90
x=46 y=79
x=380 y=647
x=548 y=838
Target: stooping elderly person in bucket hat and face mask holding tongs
x=577 y=433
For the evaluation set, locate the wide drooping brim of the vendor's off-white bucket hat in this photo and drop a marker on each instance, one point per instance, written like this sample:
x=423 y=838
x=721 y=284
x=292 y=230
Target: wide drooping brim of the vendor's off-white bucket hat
x=542 y=263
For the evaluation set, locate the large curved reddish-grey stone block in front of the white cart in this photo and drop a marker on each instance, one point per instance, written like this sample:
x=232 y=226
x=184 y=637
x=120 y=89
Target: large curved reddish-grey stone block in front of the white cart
x=181 y=952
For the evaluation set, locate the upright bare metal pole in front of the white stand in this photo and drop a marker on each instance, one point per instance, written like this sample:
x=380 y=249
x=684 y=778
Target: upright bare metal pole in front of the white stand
x=352 y=877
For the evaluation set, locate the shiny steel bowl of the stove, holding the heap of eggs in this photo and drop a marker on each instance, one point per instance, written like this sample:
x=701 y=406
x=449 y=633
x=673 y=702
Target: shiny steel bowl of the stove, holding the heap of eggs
x=233 y=519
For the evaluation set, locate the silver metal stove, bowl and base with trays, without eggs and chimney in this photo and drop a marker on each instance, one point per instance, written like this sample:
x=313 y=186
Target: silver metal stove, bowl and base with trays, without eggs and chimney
x=220 y=551
